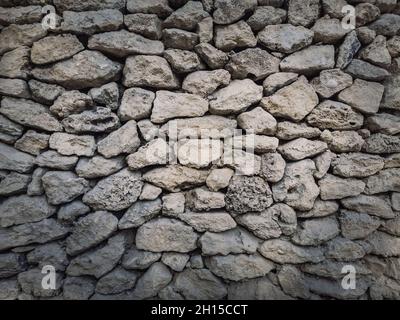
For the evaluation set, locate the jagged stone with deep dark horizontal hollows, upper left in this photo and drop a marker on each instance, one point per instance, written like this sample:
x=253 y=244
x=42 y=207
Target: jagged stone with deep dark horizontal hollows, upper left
x=98 y=120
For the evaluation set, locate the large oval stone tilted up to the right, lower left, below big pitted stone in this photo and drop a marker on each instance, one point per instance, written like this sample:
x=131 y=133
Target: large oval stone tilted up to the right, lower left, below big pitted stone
x=90 y=231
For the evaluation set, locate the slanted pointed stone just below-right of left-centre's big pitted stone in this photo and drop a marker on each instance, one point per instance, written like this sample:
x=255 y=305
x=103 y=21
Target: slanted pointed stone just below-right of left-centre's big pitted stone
x=139 y=213
